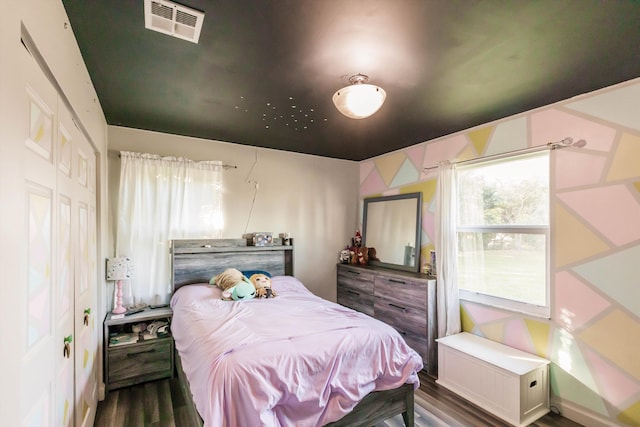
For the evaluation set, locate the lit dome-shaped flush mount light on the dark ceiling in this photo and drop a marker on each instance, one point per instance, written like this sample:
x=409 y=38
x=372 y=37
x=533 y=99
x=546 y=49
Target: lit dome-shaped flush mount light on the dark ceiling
x=359 y=100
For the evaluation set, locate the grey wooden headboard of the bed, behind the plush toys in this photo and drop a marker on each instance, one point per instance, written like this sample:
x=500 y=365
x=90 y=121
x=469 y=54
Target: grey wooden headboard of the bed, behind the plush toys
x=198 y=260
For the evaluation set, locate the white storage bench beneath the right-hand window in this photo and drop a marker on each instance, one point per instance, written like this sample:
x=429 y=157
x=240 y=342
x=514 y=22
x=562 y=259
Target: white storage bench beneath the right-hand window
x=509 y=383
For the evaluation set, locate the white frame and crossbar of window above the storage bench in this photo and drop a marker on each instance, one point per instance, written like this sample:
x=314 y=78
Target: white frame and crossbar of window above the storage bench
x=543 y=311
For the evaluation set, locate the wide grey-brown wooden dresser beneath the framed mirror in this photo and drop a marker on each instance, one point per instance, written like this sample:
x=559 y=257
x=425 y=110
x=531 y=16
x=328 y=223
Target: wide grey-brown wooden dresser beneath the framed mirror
x=404 y=300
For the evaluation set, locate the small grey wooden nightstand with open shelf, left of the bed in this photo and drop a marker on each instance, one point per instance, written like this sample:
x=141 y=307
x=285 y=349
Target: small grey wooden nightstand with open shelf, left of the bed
x=132 y=358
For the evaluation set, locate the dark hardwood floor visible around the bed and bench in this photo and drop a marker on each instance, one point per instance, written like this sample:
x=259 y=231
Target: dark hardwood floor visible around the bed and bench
x=160 y=403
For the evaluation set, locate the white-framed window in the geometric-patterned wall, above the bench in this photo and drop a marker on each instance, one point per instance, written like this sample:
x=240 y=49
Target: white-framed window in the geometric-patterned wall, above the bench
x=503 y=233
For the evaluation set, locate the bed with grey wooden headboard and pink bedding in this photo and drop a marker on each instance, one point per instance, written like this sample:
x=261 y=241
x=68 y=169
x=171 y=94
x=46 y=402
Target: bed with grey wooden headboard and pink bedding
x=295 y=359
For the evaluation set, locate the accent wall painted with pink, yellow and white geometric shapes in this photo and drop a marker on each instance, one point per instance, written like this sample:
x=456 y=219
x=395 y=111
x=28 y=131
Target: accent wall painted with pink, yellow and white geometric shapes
x=593 y=336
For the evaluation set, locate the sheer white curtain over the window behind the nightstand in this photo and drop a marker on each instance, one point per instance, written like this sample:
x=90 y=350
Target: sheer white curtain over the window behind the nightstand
x=163 y=198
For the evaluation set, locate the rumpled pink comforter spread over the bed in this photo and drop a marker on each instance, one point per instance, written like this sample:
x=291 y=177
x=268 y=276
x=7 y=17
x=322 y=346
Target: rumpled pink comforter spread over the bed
x=293 y=360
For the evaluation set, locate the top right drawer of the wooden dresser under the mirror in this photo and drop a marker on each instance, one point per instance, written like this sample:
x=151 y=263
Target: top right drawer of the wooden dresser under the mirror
x=401 y=291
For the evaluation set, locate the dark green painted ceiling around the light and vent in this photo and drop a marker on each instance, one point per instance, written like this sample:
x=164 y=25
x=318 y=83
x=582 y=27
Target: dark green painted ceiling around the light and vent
x=264 y=72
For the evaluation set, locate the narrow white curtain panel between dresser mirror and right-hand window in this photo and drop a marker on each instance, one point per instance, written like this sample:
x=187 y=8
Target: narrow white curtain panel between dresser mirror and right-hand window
x=448 y=303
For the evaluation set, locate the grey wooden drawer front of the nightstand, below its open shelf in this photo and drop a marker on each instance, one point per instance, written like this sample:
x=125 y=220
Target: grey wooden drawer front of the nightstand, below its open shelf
x=131 y=364
